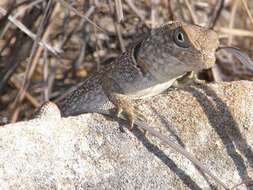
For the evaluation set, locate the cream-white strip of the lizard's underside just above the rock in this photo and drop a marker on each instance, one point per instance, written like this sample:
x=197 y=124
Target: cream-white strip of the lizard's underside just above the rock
x=151 y=91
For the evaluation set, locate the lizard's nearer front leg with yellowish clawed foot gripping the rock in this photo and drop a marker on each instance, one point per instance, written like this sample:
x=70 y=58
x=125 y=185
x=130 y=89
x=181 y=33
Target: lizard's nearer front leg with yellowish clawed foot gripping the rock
x=122 y=102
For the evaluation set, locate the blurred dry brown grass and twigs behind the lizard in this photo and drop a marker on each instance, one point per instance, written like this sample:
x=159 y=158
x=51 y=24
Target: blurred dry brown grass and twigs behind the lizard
x=47 y=46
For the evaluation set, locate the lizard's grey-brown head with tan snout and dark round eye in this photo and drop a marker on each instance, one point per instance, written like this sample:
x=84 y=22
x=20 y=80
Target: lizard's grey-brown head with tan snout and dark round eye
x=176 y=48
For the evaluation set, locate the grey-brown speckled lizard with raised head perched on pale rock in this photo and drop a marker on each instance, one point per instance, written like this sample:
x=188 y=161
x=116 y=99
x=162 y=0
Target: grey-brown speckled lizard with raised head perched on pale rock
x=146 y=69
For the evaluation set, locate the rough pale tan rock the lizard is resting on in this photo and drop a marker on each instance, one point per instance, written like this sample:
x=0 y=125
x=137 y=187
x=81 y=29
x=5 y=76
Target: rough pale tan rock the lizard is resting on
x=91 y=151
